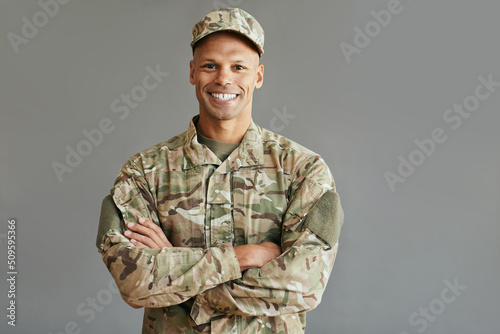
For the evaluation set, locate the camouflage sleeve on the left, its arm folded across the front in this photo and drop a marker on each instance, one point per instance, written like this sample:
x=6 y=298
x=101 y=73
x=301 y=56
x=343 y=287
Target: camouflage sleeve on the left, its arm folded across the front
x=155 y=277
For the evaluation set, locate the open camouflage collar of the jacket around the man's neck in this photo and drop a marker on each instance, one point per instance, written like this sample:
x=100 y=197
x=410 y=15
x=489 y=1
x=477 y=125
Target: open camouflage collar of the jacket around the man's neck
x=249 y=153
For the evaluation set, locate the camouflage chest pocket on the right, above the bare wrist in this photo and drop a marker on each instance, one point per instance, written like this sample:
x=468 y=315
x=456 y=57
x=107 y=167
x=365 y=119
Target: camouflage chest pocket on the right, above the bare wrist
x=259 y=203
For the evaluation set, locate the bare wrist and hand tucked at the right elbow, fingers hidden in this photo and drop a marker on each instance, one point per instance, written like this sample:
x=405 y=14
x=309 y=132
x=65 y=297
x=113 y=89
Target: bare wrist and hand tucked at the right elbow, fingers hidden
x=256 y=255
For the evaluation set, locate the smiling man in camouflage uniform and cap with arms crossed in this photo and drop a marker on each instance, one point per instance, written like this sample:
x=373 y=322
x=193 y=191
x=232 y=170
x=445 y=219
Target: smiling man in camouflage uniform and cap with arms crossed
x=227 y=227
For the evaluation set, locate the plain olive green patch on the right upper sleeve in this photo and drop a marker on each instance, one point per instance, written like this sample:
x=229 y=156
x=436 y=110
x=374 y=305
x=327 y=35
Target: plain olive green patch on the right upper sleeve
x=326 y=218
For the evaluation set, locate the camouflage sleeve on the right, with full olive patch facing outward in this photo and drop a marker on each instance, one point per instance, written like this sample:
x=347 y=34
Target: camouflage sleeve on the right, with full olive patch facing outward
x=295 y=281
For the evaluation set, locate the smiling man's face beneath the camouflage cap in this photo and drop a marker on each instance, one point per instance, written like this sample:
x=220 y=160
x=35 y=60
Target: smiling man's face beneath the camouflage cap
x=225 y=71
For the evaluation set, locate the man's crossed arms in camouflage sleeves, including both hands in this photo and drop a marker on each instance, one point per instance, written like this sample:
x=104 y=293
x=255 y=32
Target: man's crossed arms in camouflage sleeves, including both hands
x=259 y=280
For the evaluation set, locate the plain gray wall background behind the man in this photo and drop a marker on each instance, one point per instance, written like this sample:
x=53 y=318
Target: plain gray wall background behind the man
x=397 y=247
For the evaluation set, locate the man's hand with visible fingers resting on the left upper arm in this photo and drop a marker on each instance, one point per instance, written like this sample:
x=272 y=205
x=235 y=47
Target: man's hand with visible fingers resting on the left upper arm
x=147 y=234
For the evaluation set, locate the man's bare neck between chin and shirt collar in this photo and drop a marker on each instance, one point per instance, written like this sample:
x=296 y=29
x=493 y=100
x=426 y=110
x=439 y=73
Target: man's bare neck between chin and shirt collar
x=225 y=131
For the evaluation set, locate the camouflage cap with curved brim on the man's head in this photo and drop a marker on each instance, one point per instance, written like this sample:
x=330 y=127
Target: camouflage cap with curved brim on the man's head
x=230 y=19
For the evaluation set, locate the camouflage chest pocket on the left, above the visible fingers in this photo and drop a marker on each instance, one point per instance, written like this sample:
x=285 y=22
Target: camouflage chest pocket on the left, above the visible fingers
x=181 y=208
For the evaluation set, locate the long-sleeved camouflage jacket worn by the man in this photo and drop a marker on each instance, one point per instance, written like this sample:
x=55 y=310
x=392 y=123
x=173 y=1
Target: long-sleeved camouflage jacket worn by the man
x=262 y=192
